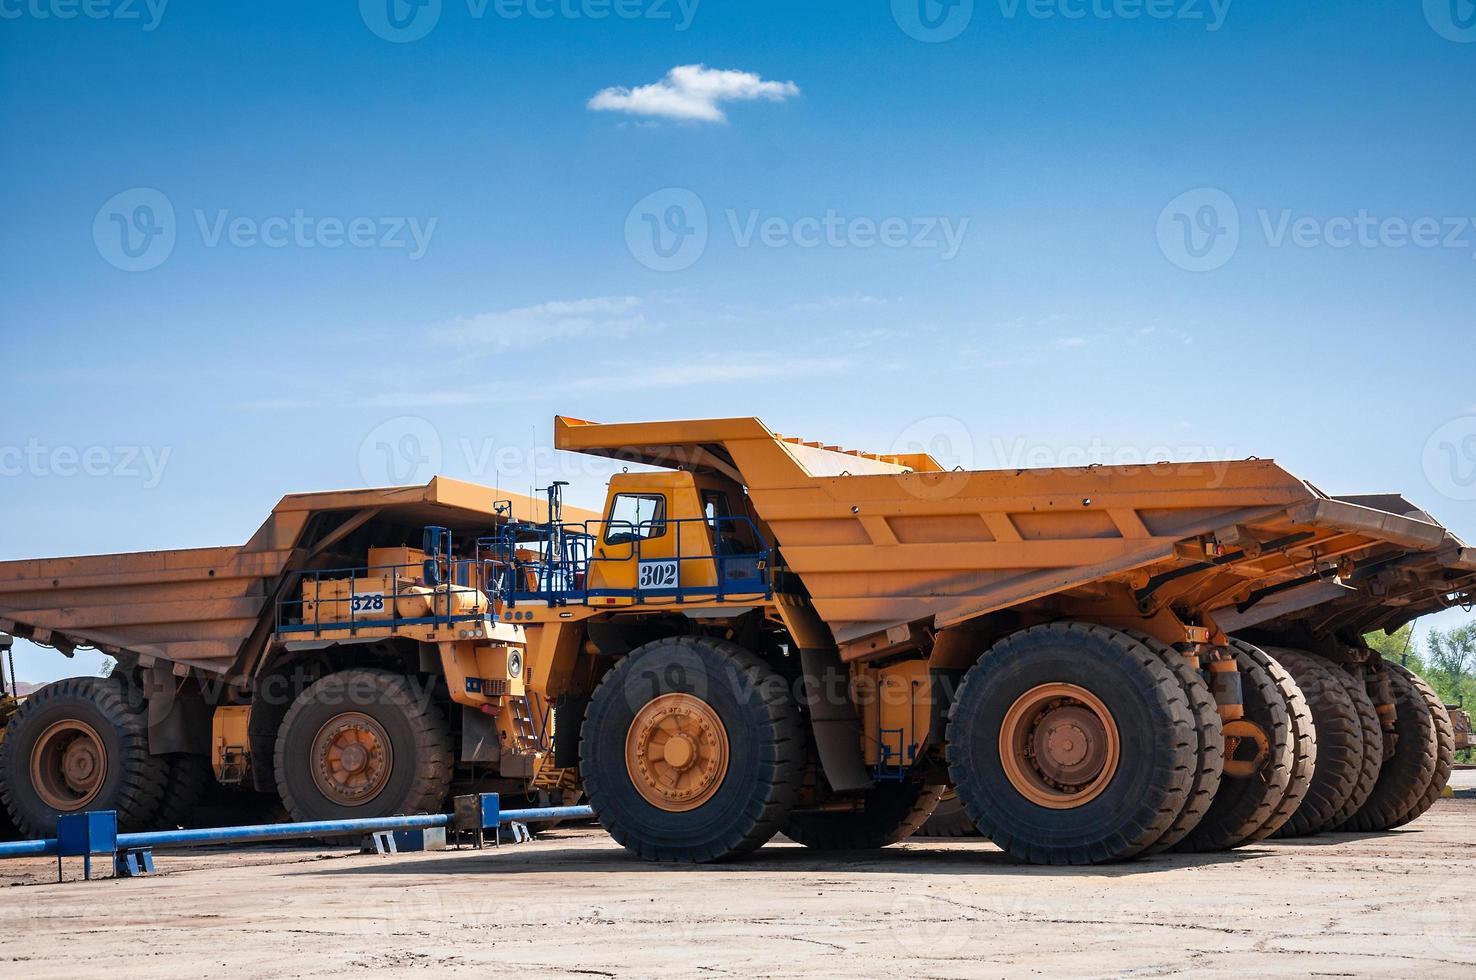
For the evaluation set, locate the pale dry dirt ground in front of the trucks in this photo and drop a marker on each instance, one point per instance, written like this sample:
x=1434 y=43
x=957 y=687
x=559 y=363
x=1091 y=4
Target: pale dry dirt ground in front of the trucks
x=573 y=904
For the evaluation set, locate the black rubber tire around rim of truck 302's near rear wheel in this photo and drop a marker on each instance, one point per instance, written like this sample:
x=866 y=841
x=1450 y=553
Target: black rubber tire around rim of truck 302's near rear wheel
x=1155 y=727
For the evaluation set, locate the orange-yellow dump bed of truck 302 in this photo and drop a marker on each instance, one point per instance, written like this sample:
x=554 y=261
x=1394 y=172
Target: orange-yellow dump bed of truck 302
x=882 y=541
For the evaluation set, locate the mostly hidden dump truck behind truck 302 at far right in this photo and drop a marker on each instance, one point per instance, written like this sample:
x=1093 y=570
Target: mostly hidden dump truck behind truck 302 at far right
x=1385 y=742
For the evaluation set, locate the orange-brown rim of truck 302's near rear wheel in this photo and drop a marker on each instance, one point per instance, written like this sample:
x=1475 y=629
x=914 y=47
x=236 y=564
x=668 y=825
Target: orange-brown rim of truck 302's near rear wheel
x=1059 y=746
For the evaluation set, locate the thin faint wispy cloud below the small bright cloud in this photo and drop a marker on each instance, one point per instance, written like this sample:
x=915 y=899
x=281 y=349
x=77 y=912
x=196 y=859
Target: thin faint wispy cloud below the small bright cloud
x=531 y=327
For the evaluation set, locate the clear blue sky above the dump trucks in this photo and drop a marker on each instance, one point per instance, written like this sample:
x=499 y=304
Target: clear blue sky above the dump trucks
x=1208 y=230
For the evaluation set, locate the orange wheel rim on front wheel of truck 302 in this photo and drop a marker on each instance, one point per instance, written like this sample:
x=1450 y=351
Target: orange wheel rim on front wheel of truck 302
x=677 y=753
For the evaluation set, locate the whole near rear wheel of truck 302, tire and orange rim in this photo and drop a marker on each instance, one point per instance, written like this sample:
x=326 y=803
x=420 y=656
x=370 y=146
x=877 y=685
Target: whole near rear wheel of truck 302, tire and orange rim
x=1074 y=745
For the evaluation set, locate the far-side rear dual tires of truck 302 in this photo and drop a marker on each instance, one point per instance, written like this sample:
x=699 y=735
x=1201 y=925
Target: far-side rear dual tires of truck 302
x=1245 y=804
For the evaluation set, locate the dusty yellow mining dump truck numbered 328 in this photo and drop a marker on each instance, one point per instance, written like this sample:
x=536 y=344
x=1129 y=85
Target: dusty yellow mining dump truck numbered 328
x=209 y=689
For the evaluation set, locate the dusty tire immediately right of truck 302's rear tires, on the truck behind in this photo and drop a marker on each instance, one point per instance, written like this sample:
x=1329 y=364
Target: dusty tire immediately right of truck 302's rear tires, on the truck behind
x=1339 y=742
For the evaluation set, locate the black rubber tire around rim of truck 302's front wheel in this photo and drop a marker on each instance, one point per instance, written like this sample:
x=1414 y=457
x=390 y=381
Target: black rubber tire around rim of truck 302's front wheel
x=765 y=762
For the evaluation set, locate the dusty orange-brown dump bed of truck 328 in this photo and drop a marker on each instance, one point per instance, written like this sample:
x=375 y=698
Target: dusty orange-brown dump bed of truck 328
x=213 y=609
